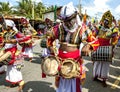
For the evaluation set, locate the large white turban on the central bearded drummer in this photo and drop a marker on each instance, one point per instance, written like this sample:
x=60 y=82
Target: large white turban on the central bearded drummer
x=68 y=10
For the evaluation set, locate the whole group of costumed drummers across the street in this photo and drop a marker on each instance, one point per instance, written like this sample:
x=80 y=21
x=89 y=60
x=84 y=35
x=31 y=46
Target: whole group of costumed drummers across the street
x=63 y=45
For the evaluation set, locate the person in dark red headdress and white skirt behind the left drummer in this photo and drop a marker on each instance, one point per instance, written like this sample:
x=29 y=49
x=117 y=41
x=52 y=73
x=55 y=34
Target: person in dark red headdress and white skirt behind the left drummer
x=28 y=30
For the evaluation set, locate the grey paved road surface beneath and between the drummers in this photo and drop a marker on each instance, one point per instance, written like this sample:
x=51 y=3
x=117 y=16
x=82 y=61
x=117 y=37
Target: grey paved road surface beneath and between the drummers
x=35 y=83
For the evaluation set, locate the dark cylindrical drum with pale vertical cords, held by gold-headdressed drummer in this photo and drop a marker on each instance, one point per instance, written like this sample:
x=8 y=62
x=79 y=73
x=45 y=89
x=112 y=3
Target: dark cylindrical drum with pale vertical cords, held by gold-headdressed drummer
x=103 y=53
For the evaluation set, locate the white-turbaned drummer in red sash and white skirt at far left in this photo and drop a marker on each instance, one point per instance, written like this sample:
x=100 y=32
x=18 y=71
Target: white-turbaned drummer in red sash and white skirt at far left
x=13 y=74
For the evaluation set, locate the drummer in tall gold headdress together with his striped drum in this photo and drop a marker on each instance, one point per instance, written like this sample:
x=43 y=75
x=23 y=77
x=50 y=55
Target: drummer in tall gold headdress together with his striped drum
x=108 y=37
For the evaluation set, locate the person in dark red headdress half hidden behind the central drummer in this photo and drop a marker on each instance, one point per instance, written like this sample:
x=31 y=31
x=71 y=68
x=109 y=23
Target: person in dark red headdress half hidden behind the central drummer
x=46 y=40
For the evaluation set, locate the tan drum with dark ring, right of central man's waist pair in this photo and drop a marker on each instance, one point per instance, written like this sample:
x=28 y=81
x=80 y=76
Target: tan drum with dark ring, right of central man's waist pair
x=70 y=68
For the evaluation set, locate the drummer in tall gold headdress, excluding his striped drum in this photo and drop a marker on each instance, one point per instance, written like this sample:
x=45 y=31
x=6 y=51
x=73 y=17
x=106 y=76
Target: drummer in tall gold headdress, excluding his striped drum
x=107 y=36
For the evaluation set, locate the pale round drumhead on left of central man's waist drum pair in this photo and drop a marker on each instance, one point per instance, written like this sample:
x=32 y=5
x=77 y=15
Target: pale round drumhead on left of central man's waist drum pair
x=50 y=65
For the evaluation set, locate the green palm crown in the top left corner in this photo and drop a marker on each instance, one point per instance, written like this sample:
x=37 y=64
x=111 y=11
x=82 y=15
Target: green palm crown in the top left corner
x=5 y=8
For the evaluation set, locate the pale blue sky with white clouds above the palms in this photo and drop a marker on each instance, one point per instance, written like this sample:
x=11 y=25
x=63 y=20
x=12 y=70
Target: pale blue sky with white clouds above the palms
x=93 y=7
